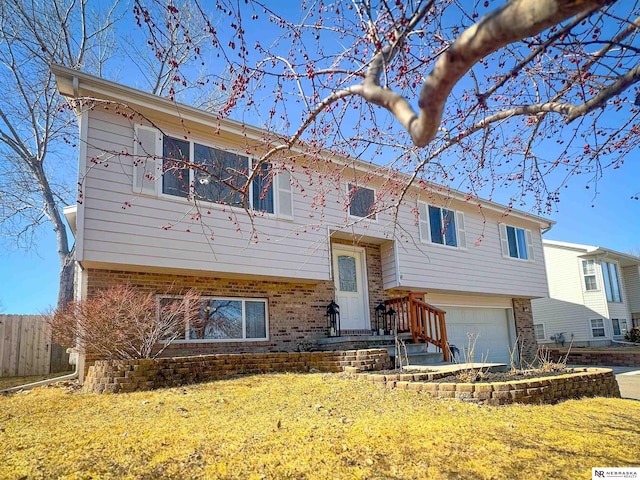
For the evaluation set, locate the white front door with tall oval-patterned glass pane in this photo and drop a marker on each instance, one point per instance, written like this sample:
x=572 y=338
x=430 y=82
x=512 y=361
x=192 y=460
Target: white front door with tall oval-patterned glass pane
x=351 y=287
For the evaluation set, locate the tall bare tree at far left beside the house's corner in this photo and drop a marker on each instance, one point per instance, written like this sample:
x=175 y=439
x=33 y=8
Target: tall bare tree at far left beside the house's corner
x=34 y=183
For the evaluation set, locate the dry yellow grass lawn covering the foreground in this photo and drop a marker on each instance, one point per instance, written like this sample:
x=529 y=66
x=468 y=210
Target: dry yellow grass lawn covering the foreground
x=306 y=426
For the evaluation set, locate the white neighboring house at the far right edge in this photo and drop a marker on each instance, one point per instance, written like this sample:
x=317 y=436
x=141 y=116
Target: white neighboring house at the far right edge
x=594 y=295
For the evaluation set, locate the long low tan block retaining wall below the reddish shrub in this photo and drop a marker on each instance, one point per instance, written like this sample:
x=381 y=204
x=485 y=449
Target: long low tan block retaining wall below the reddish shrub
x=114 y=376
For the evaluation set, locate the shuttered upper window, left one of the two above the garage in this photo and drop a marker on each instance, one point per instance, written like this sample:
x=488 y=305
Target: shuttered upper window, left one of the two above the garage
x=441 y=226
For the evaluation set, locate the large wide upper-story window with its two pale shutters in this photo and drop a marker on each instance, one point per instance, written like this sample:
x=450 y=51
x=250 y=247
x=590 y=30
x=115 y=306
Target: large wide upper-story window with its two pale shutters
x=182 y=168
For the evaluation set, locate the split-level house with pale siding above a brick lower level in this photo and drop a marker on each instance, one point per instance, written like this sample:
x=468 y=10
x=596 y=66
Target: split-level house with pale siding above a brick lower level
x=305 y=236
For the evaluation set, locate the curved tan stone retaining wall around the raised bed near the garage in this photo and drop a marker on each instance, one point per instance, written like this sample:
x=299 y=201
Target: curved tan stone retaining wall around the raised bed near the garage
x=593 y=382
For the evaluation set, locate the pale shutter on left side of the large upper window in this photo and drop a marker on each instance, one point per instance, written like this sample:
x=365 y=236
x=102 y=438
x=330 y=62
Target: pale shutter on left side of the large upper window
x=146 y=147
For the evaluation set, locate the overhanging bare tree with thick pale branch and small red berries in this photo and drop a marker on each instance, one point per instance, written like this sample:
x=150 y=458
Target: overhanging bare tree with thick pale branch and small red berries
x=525 y=94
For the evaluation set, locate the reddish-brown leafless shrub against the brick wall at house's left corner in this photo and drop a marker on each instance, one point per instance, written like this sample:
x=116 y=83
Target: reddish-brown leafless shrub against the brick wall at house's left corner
x=123 y=323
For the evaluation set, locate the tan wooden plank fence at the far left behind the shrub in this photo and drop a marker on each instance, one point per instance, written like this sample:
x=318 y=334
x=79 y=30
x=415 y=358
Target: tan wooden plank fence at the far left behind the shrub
x=26 y=347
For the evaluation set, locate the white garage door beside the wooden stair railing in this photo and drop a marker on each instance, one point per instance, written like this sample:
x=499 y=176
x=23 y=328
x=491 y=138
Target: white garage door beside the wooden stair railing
x=489 y=327
